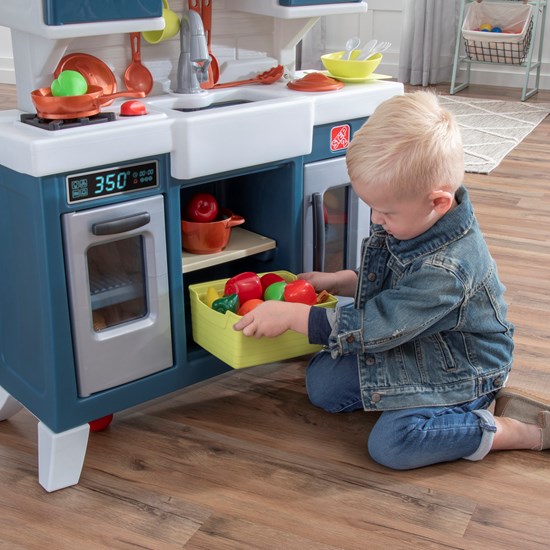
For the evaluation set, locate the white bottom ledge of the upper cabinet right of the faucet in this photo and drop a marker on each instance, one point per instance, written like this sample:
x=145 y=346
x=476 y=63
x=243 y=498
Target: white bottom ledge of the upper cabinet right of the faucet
x=274 y=9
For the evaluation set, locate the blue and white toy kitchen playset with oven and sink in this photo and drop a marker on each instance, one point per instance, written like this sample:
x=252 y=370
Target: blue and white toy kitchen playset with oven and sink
x=95 y=310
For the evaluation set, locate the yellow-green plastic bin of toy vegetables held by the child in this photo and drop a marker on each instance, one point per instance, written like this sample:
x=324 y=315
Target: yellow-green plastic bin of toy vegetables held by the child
x=214 y=332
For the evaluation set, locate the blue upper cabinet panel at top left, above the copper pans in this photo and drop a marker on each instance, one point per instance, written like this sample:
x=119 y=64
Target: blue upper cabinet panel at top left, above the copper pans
x=61 y=12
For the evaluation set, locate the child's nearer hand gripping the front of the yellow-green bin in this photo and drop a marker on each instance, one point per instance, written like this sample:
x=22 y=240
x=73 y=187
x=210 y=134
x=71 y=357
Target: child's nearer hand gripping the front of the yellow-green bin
x=272 y=318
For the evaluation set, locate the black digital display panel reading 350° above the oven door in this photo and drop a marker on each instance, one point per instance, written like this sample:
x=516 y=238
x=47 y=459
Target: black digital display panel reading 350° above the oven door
x=113 y=181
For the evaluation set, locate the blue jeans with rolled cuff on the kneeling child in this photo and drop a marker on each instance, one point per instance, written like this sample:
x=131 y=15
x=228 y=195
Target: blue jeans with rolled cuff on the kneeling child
x=407 y=438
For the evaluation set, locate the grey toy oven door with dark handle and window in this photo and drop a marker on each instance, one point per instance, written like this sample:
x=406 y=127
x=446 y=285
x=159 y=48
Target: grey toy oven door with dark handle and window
x=119 y=294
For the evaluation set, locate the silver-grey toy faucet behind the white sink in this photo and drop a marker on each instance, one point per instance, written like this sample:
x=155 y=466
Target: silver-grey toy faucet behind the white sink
x=194 y=58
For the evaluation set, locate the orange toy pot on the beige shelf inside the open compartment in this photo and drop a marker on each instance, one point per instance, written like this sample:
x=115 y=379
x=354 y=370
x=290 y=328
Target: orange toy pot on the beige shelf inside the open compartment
x=209 y=237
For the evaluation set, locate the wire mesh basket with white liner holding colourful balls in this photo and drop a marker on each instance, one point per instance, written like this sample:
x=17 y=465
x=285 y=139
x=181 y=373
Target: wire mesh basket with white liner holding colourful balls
x=510 y=45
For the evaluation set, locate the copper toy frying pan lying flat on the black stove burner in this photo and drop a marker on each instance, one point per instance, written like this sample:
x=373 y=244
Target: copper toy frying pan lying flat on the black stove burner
x=76 y=106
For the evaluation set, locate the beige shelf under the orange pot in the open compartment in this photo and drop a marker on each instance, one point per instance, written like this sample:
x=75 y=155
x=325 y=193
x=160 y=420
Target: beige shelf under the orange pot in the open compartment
x=242 y=243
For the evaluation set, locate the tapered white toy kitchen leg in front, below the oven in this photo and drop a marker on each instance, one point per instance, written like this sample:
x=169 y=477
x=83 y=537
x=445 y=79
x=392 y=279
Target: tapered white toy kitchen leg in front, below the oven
x=61 y=456
